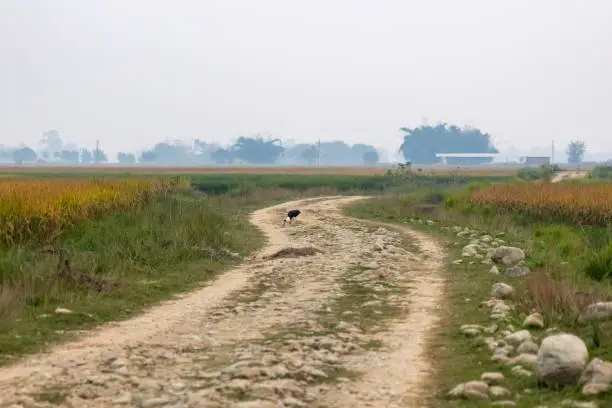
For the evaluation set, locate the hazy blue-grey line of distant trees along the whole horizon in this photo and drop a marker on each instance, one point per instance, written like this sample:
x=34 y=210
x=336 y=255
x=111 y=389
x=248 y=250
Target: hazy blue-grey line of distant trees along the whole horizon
x=420 y=146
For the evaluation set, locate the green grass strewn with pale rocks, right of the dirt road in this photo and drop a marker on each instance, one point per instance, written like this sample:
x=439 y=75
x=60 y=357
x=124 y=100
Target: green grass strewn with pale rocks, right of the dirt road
x=555 y=288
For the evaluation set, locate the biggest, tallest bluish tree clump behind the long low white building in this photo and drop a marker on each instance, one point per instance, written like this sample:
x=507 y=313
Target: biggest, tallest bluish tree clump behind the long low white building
x=422 y=143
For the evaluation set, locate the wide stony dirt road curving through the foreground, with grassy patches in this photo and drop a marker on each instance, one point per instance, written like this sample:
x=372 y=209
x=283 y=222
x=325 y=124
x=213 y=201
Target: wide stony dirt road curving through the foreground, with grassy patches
x=333 y=312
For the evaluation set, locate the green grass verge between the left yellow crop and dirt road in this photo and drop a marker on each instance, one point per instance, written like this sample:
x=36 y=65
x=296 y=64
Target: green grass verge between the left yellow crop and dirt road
x=114 y=267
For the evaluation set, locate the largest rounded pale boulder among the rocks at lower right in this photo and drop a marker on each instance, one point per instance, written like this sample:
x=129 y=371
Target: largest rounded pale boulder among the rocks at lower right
x=561 y=359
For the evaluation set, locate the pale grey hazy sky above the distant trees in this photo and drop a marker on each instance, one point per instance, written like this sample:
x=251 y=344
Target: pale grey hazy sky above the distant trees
x=135 y=72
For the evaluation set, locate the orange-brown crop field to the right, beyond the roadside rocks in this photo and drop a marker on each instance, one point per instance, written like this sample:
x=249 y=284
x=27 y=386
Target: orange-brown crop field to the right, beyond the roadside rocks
x=580 y=204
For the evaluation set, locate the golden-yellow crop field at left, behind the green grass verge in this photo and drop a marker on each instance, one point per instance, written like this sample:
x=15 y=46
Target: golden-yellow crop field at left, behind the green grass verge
x=42 y=209
